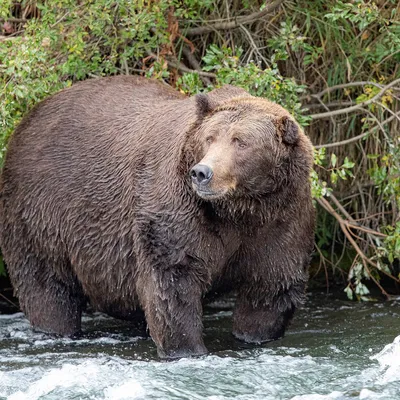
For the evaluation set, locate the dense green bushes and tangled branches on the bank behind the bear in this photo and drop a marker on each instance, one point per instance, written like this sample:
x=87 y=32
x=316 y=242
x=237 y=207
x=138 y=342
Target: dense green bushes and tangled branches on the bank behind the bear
x=333 y=64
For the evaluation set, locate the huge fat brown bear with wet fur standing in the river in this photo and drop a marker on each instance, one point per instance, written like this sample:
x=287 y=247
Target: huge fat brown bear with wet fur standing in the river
x=125 y=193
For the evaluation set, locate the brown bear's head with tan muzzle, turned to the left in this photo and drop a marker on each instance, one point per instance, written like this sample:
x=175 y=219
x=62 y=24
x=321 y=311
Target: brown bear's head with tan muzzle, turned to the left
x=247 y=146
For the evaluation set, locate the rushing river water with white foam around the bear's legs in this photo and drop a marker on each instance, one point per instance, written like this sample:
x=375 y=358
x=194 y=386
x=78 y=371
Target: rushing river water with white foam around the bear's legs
x=334 y=350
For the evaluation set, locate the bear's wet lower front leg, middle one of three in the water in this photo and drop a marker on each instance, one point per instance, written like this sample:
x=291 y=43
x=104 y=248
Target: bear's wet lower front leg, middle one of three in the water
x=173 y=308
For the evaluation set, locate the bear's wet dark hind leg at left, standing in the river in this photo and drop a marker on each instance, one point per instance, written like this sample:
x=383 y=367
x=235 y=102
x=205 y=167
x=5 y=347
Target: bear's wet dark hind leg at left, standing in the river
x=50 y=304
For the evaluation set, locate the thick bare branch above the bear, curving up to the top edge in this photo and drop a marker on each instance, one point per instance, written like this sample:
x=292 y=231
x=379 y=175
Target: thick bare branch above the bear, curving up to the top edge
x=244 y=20
